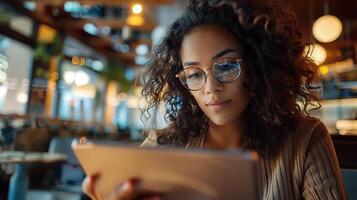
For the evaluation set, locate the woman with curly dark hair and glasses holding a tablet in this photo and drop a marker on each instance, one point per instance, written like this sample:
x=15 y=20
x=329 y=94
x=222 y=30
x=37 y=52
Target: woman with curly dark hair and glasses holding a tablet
x=231 y=73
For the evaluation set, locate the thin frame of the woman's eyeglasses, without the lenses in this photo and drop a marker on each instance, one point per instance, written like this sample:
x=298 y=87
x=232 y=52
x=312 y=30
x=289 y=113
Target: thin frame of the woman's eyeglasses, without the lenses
x=237 y=59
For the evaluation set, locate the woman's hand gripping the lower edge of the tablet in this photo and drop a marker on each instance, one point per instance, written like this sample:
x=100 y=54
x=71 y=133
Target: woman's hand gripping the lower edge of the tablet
x=124 y=191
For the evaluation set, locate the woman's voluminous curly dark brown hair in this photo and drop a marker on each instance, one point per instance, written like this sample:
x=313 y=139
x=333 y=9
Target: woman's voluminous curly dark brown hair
x=278 y=79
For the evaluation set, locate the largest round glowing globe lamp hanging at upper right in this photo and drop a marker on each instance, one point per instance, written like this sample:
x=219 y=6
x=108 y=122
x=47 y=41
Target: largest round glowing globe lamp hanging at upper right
x=327 y=28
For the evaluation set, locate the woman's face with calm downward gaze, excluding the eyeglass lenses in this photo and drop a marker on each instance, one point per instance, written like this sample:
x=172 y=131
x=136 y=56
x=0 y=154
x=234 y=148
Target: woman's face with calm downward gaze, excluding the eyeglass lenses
x=222 y=102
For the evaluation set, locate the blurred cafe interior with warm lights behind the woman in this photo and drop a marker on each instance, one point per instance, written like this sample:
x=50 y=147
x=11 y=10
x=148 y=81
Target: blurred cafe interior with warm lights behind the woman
x=72 y=69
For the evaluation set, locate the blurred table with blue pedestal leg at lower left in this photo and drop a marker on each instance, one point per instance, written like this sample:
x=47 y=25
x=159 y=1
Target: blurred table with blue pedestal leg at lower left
x=19 y=181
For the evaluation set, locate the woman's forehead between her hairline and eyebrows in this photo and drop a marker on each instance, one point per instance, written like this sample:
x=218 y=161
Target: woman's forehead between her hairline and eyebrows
x=205 y=41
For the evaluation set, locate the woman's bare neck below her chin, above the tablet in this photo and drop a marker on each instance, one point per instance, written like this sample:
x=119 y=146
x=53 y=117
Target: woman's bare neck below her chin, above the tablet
x=224 y=136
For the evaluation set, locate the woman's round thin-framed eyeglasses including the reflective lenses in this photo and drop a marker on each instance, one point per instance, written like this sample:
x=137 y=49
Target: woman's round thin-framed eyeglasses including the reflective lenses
x=224 y=70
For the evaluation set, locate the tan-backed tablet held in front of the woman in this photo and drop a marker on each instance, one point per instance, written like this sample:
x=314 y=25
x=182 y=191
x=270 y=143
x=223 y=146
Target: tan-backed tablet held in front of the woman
x=176 y=173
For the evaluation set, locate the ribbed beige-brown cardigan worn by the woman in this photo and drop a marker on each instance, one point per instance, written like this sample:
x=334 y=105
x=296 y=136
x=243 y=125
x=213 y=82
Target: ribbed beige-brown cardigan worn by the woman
x=306 y=168
